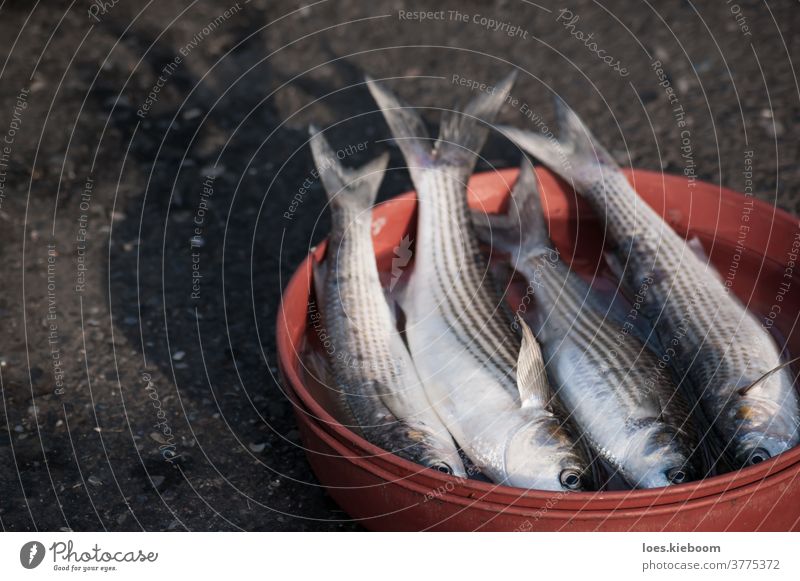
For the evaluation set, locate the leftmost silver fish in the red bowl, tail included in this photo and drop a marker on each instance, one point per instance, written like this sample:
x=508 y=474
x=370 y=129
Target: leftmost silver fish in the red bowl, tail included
x=376 y=383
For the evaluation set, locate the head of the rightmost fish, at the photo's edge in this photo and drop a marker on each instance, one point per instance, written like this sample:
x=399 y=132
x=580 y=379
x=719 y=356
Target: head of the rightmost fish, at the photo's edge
x=760 y=426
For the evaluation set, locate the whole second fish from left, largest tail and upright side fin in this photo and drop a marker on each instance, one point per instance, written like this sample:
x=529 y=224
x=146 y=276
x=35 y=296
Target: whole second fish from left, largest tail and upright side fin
x=486 y=381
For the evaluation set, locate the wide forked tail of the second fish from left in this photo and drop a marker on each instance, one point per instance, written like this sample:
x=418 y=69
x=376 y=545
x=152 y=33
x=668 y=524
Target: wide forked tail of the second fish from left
x=461 y=136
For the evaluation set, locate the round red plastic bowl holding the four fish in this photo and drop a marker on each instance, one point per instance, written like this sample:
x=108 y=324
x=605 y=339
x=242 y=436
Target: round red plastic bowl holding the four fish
x=386 y=492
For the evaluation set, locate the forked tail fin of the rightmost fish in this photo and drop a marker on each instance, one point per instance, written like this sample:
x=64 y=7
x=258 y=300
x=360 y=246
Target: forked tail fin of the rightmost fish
x=576 y=156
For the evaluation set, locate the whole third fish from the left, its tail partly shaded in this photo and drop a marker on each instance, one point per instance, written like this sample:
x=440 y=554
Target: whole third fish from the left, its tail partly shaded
x=611 y=383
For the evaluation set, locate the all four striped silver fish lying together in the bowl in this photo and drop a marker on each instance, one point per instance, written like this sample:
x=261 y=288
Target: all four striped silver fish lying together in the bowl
x=570 y=394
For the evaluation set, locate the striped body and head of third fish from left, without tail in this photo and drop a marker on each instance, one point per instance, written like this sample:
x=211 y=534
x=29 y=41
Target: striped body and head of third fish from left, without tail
x=590 y=353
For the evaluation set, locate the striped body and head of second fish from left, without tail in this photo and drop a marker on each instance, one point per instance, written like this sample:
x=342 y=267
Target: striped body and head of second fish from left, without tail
x=466 y=349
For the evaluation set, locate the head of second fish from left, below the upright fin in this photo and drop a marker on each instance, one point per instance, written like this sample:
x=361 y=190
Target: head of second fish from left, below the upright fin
x=542 y=455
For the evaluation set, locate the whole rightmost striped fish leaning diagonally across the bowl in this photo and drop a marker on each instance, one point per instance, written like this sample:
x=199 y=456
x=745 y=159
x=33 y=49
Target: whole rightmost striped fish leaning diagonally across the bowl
x=732 y=363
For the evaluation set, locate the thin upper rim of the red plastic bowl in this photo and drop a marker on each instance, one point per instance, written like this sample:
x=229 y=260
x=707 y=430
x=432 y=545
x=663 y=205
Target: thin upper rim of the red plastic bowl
x=288 y=334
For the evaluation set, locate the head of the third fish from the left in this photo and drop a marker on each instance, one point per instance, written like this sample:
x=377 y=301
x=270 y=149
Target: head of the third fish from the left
x=657 y=455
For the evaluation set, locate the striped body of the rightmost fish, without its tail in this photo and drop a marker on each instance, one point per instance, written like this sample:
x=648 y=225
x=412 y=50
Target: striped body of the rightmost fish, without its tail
x=708 y=335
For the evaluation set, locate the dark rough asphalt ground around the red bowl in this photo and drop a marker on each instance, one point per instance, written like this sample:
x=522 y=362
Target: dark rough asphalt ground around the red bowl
x=136 y=396
